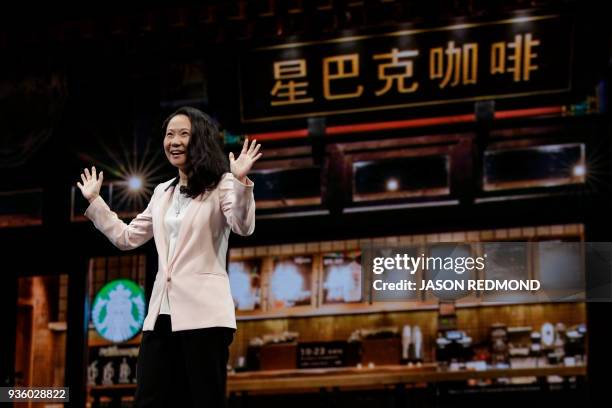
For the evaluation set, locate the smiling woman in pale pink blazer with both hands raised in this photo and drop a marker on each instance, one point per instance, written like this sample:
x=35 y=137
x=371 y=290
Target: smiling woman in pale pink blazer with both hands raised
x=190 y=323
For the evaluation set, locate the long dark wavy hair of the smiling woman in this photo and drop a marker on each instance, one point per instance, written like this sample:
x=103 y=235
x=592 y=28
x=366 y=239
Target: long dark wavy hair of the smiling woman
x=206 y=161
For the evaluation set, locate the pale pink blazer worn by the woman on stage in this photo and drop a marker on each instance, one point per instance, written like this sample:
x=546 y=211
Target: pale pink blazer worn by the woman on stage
x=196 y=278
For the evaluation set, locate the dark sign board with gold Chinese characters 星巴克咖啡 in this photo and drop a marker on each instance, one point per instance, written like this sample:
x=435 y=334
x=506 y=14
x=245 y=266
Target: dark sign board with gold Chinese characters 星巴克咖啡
x=418 y=67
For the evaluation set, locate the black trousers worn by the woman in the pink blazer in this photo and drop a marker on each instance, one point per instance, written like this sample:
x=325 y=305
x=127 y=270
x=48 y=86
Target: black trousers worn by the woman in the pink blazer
x=184 y=368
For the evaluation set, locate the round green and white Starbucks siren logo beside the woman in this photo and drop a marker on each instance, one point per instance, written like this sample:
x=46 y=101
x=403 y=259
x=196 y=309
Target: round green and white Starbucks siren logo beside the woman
x=118 y=310
